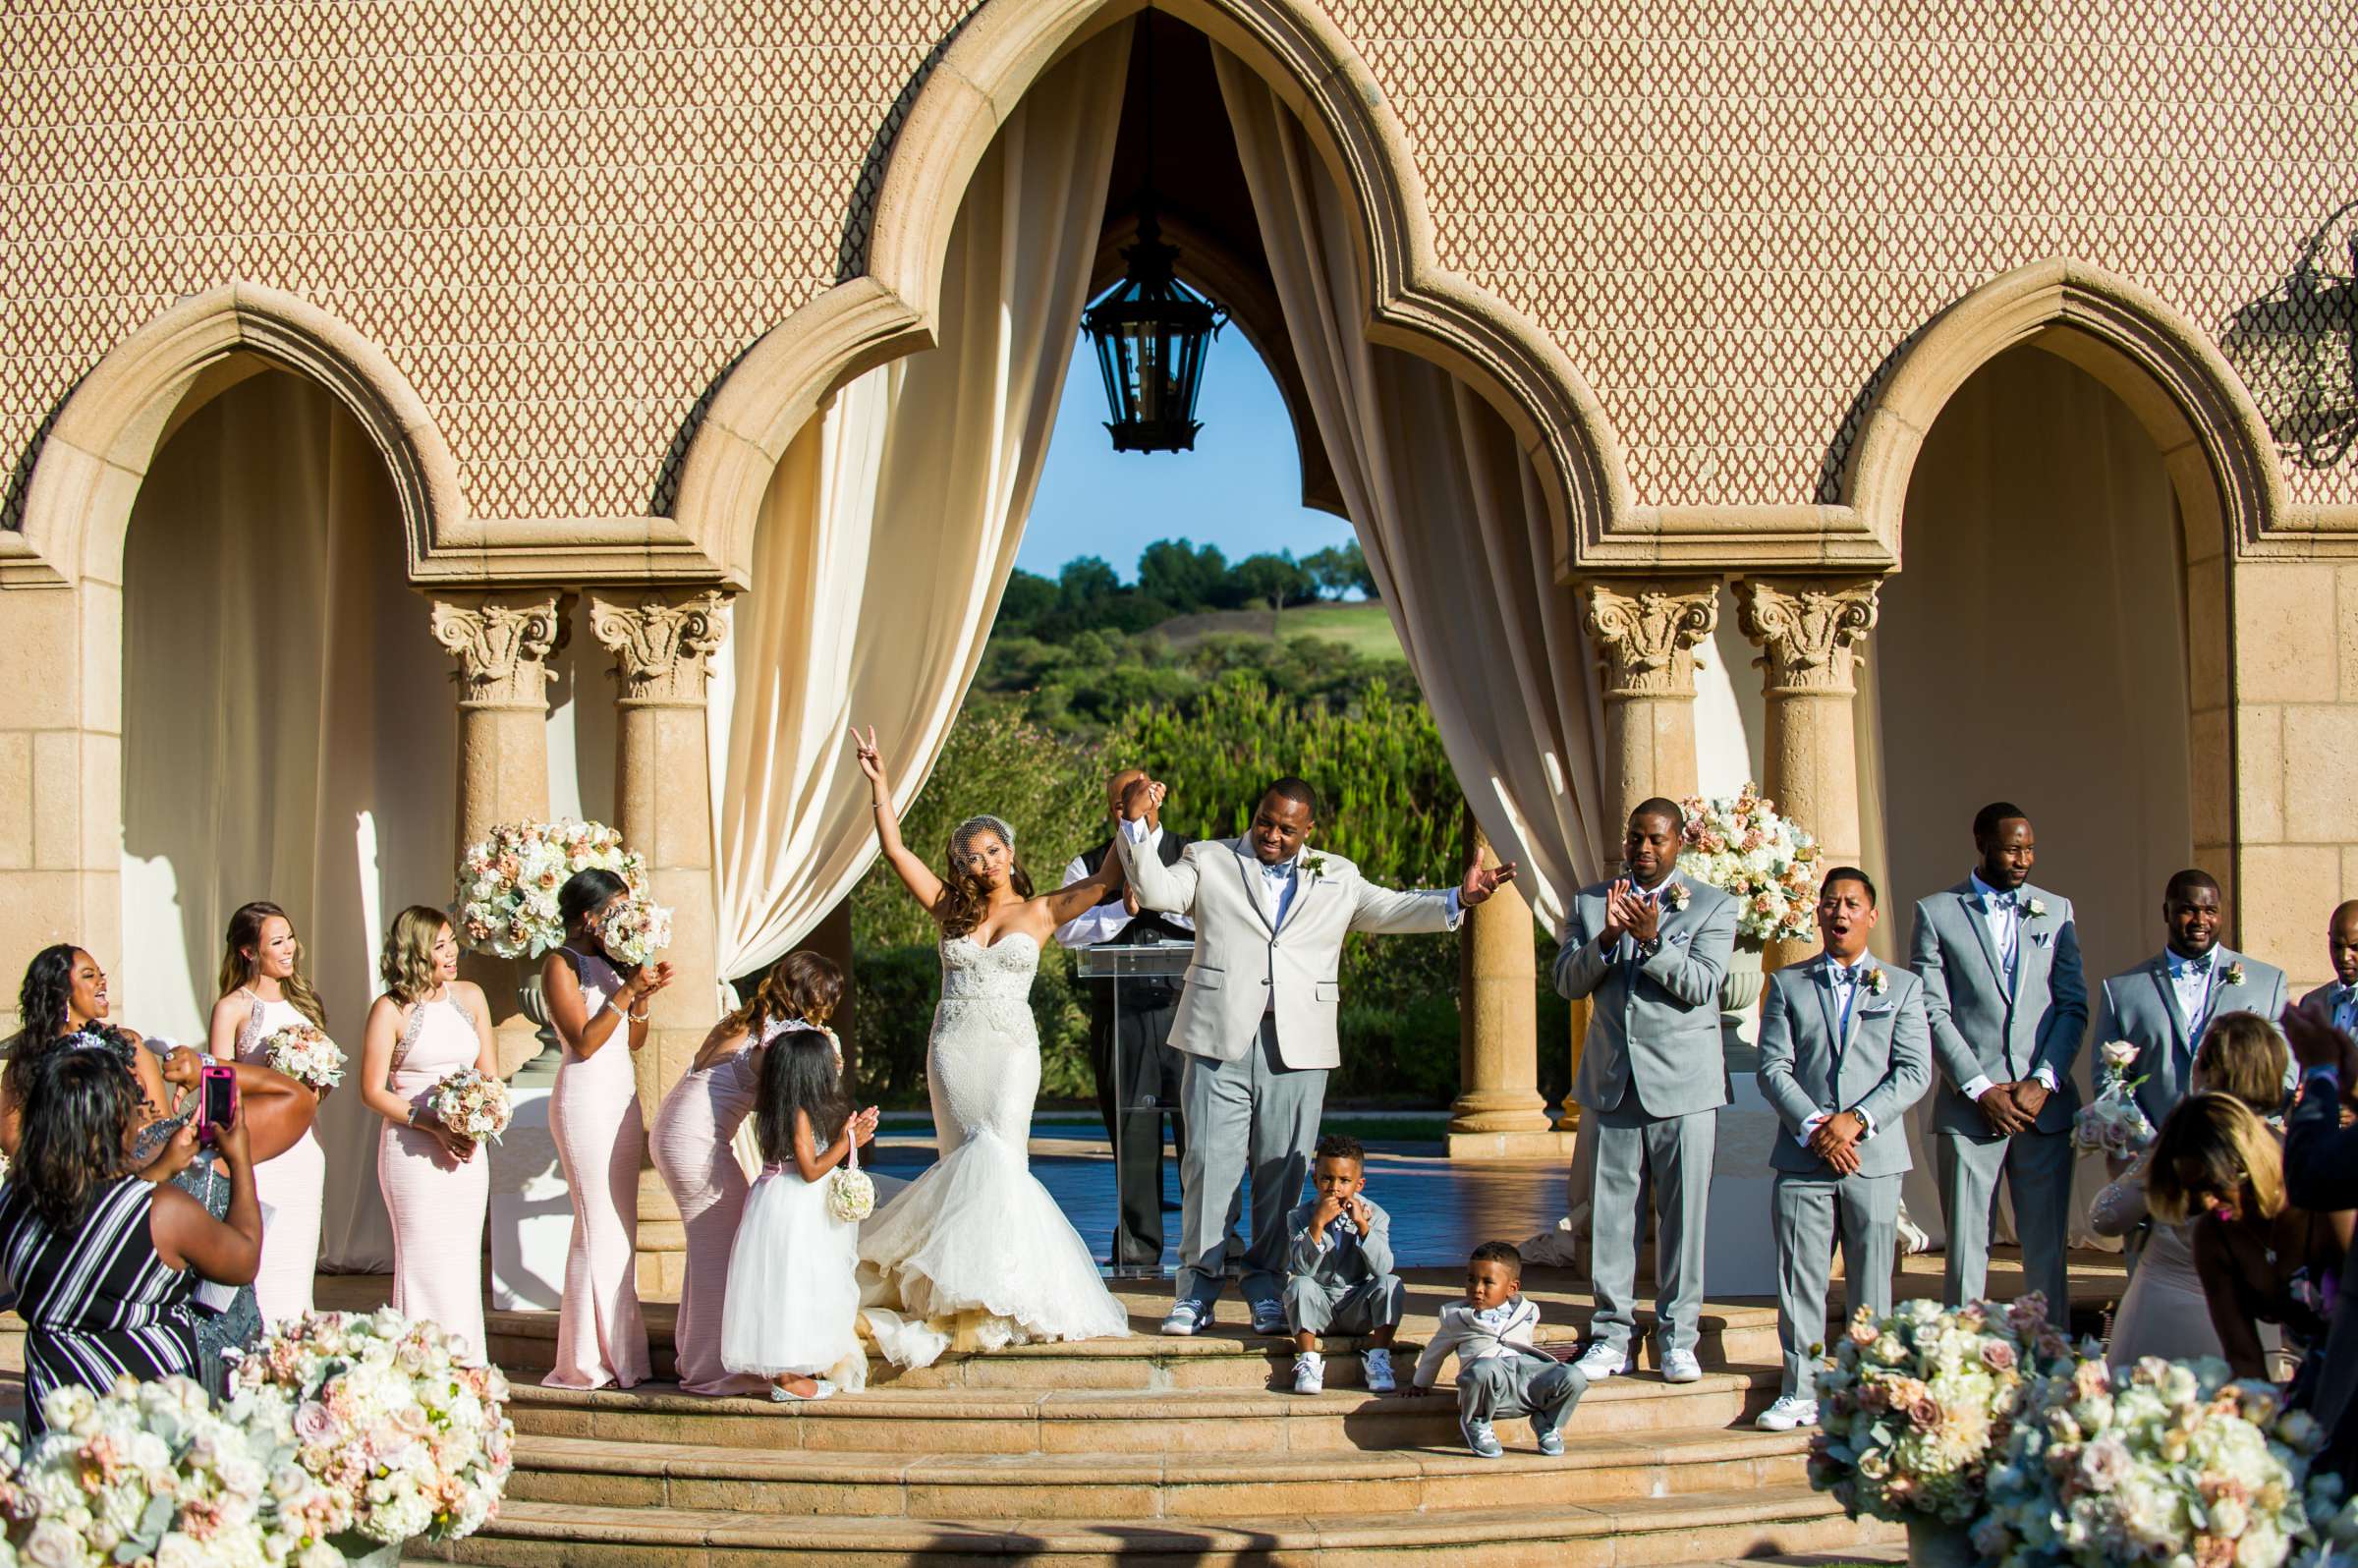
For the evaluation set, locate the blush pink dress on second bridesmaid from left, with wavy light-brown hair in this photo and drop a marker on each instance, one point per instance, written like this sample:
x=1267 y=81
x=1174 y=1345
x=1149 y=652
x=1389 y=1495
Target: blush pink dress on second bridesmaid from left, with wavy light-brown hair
x=437 y=1206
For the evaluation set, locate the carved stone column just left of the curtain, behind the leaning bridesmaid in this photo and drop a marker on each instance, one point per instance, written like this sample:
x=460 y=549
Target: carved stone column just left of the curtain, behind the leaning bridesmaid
x=664 y=643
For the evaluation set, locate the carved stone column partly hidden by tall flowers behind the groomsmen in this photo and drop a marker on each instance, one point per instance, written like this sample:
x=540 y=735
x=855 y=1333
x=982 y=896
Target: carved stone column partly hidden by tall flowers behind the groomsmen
x=1647 y=635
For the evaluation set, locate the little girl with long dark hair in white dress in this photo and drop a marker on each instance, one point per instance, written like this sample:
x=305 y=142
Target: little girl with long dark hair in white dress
x=793 y=1303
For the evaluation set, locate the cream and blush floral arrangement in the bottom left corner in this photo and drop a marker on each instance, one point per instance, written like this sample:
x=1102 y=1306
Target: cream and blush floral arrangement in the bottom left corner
x=140 y=1475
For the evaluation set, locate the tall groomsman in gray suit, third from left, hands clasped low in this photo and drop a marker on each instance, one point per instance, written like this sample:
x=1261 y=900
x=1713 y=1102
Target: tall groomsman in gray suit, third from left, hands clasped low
x=2008 y=1010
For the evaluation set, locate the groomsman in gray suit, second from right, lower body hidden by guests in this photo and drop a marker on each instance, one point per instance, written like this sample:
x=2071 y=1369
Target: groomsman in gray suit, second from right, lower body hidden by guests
x=2166 y=1003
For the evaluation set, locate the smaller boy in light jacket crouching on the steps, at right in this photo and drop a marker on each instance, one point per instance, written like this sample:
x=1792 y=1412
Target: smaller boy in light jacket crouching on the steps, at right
x=1501 y=1373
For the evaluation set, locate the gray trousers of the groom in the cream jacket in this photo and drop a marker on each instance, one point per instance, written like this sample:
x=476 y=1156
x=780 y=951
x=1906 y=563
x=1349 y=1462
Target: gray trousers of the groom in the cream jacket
x=1249 y=1114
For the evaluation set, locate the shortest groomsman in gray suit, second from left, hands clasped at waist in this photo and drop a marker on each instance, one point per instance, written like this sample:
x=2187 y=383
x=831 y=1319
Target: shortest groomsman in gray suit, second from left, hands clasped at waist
x=1845 y=1050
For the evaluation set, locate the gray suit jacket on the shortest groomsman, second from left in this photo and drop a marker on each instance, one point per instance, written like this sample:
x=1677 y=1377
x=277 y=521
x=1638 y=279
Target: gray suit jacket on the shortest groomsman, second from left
x=1883 y=1067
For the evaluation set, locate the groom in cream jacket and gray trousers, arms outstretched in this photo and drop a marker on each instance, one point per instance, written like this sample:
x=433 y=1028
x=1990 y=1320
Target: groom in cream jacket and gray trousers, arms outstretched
x=1258 y=1017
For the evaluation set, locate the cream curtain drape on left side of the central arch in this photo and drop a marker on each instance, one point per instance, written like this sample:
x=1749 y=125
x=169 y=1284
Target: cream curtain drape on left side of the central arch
x=893 y=525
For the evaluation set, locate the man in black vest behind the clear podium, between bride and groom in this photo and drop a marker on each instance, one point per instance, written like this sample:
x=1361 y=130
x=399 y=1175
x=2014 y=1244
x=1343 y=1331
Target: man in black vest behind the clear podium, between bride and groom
x=1138 y=1072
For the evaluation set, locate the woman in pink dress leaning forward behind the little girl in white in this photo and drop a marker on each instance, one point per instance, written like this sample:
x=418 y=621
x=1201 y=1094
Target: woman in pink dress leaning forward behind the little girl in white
x=692 y=1138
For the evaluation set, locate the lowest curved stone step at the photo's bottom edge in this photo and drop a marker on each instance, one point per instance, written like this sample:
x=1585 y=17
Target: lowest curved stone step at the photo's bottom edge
x=1720 y=1524
